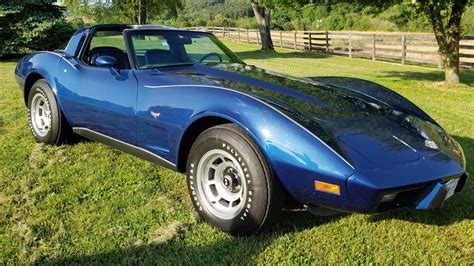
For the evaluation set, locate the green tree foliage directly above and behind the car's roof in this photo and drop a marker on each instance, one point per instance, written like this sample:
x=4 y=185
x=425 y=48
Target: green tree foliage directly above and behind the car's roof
x=134 y=11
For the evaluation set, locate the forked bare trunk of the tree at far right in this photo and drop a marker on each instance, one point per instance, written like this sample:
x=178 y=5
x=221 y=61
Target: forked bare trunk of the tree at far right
x=448 y=37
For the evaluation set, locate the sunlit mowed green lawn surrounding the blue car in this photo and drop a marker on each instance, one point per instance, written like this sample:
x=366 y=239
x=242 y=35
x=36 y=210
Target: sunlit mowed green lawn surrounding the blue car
x=87 y=203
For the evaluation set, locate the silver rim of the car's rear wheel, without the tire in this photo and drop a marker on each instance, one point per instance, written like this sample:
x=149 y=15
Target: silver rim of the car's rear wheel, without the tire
x=40 y=115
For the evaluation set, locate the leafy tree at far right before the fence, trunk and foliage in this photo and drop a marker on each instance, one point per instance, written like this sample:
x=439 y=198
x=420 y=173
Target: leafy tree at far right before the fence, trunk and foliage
x=445 y=17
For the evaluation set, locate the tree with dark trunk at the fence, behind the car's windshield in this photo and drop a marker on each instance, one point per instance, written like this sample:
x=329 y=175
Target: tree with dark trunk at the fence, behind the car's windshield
x=262 y=10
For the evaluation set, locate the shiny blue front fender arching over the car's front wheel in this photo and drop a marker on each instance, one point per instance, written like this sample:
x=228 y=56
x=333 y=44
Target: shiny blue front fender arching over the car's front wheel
x=297 y=156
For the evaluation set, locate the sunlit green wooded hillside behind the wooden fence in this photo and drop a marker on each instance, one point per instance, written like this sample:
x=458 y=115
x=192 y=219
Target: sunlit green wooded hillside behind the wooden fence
x=399 y=15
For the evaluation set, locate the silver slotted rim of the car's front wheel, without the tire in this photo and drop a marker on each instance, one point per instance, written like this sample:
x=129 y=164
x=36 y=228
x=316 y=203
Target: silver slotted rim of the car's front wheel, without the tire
x=220 y=182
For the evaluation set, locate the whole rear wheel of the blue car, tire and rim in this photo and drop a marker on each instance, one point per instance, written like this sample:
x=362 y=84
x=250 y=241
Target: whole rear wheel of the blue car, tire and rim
x=46 y=120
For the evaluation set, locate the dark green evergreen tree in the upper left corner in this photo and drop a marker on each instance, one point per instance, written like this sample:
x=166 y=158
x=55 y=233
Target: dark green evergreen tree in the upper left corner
x=27 y=26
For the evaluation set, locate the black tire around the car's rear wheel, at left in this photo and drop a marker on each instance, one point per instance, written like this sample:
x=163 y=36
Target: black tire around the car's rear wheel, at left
x=59 y=130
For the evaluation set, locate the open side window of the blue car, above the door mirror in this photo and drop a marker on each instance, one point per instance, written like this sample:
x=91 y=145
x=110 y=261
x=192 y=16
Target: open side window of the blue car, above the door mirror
x=108 y=43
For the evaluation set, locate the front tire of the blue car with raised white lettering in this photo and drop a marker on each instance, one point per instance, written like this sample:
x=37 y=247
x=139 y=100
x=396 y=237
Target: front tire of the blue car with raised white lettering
x=262 y=196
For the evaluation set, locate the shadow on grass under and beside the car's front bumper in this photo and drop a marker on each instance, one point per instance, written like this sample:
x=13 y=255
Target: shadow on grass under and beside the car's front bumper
x=458 y=208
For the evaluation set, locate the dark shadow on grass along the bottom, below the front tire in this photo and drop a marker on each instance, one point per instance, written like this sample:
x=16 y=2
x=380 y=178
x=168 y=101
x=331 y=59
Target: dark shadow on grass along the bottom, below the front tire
x=222 y=251
